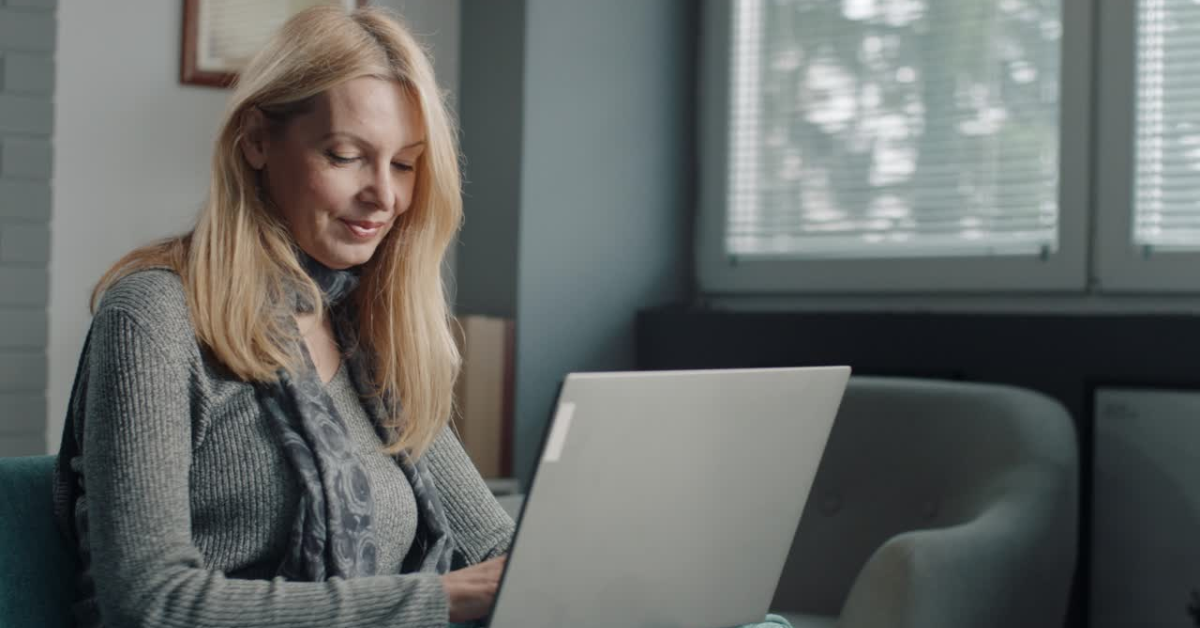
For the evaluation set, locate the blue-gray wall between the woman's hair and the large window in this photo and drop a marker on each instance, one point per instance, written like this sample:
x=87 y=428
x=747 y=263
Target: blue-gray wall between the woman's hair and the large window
x=602 y=205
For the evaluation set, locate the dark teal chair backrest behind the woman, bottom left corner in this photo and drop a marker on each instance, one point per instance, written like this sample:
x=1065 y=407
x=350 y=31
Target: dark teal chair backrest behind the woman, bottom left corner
x=37 y=565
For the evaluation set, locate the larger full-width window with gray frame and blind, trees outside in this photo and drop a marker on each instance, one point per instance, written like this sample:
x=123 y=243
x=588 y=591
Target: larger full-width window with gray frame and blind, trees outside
x=875 y=146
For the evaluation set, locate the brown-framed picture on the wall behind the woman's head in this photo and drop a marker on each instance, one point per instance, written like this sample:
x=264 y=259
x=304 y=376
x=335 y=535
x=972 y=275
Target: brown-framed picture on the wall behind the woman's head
x=220 y=37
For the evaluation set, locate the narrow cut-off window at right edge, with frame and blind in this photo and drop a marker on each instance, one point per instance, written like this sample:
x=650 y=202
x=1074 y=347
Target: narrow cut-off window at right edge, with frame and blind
x=1148 y=175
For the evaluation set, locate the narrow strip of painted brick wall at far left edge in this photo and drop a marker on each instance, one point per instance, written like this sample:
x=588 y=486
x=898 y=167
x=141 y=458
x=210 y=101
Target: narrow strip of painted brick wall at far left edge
x=28 y=37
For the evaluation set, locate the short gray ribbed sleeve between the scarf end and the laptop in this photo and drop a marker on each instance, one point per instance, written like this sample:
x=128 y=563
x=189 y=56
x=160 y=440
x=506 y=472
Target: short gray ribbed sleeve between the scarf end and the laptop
x=481 y=527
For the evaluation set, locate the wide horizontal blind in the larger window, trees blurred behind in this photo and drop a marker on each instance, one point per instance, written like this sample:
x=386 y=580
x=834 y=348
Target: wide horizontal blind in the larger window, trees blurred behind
x=867 y=129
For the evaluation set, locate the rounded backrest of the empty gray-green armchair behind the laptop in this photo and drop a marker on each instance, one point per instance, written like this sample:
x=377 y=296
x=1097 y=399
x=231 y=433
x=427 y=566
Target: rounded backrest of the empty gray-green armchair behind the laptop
x=913 y=454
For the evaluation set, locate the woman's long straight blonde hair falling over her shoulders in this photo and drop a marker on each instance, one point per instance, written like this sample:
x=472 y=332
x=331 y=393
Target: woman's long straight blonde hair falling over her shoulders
x=238 y=262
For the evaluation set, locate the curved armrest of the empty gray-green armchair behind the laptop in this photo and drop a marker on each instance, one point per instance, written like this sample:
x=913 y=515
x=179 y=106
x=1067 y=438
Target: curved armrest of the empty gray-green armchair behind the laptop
x=1009 y=566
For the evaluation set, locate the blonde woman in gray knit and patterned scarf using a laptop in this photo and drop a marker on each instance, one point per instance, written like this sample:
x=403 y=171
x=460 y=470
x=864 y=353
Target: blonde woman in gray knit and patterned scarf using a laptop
x=259 y=429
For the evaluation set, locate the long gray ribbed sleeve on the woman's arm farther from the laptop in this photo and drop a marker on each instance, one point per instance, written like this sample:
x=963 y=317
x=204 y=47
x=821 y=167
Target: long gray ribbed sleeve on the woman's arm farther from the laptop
x=148 y=573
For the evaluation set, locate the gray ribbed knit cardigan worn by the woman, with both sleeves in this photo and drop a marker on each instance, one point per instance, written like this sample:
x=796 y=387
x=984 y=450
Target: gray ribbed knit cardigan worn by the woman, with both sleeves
x=189 y=499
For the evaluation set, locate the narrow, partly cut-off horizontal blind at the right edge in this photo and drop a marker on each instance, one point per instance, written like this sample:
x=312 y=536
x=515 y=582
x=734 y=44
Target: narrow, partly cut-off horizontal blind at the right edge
x=1167 y=189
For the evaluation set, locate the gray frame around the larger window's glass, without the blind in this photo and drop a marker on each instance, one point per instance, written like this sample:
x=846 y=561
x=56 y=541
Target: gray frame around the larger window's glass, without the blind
x=1065 y=271
